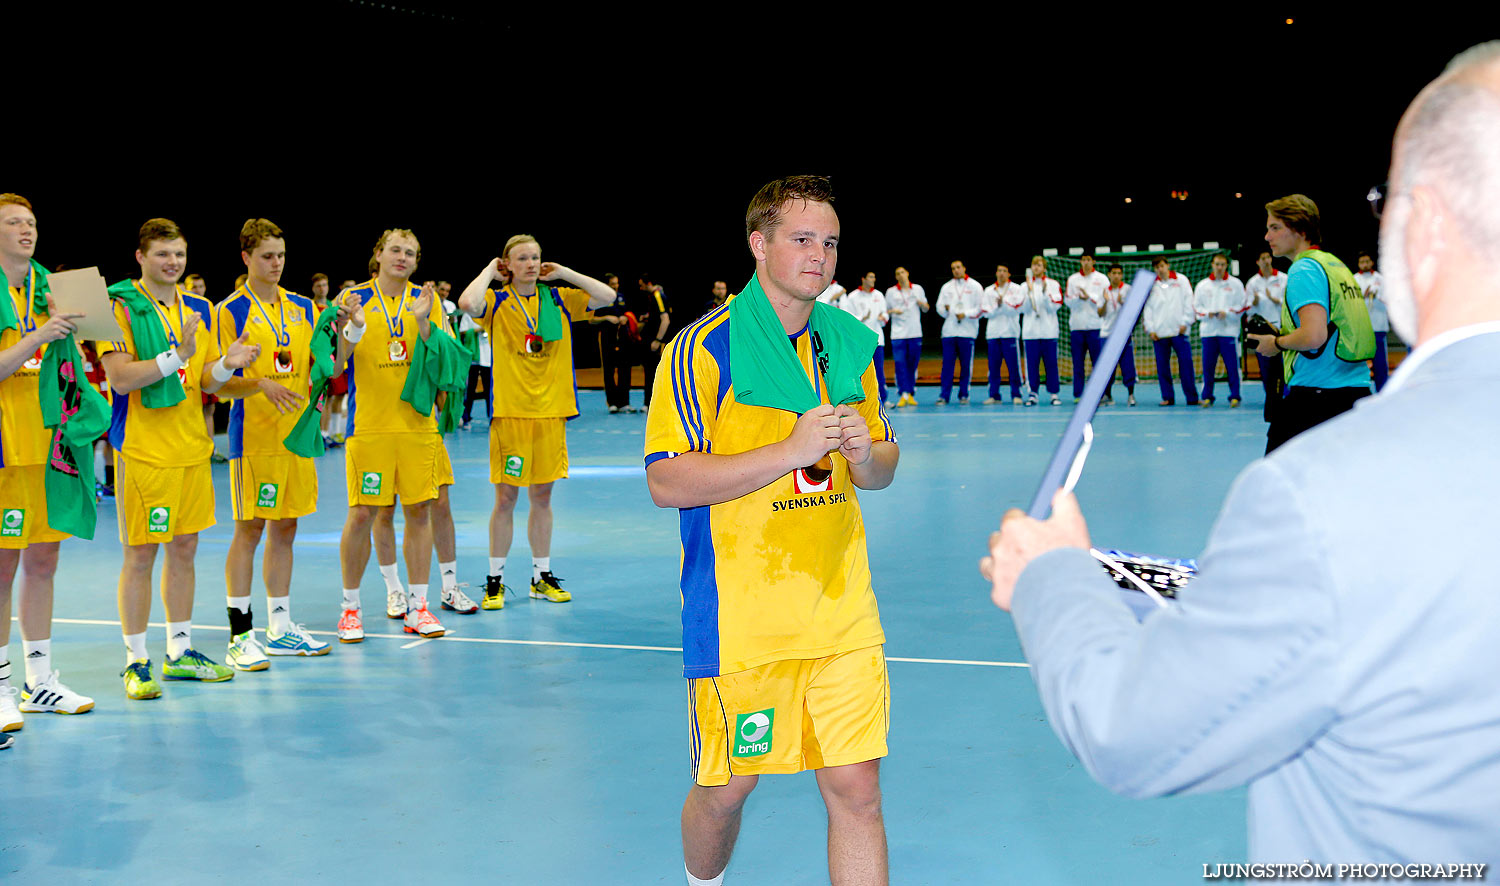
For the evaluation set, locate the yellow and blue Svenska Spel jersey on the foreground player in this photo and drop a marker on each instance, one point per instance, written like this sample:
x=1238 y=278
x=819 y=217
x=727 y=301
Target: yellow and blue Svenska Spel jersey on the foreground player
x=781 y=573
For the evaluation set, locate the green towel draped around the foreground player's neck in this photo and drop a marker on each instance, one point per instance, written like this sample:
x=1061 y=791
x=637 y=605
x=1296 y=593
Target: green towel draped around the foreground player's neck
x=764 y=362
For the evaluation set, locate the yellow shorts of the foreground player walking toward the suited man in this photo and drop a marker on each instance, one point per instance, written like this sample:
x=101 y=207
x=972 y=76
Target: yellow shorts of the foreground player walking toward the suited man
x=790 y=717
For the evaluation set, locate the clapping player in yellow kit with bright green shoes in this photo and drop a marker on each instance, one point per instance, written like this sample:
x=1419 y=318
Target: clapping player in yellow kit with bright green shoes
x=164 y=488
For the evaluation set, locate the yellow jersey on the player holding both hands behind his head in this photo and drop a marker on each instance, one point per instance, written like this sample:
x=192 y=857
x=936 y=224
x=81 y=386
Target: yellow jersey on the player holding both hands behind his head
x=532 y=386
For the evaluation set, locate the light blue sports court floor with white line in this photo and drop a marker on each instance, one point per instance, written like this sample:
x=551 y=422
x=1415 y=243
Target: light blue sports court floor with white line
x=547 y=743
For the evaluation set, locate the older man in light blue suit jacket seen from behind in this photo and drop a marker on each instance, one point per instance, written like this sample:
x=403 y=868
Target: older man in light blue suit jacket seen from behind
x=1340 y=648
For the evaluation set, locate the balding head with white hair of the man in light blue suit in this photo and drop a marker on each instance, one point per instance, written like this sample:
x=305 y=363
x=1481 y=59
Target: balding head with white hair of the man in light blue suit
x=1441 y=230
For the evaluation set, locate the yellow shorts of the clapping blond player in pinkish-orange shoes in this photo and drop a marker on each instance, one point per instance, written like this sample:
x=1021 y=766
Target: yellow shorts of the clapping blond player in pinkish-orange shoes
x=379 y=468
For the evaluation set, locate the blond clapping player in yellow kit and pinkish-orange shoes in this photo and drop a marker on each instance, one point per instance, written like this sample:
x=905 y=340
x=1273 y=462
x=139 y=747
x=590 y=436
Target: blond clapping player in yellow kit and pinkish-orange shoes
x=392 y=452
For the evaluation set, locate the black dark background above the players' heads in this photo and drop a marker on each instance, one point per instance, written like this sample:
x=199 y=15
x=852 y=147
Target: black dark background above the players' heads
x=634 y=139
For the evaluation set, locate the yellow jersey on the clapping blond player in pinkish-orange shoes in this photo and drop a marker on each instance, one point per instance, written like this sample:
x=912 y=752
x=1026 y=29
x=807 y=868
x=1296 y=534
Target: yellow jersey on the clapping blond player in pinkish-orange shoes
x=379 y=368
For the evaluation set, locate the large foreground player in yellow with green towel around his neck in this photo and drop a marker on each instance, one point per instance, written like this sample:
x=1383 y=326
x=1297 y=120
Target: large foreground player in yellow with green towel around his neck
x=766 y=425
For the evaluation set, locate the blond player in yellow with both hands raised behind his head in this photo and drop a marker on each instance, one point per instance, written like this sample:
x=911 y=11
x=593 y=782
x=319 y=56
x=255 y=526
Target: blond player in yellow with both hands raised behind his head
x=532 y=340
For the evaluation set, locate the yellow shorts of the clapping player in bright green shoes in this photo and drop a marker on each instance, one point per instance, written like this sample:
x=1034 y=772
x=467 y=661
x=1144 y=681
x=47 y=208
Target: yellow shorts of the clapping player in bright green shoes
x=160 y=504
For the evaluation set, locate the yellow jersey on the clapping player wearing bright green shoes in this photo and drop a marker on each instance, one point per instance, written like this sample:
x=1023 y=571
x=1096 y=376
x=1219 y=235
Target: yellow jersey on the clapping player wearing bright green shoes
x=173 y=437
